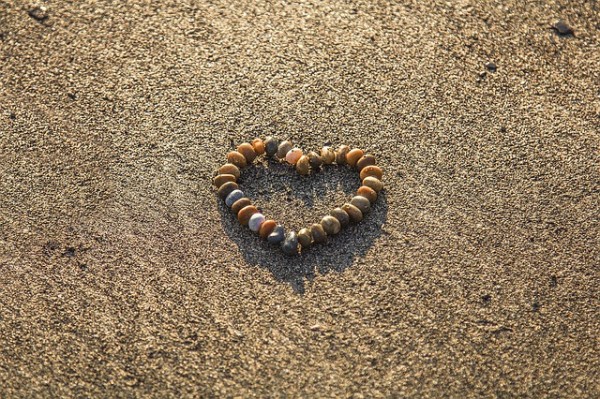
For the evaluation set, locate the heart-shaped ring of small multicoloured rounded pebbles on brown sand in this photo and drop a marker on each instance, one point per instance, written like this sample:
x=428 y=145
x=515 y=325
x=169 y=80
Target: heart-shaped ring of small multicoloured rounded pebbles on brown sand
x=248 y=215
